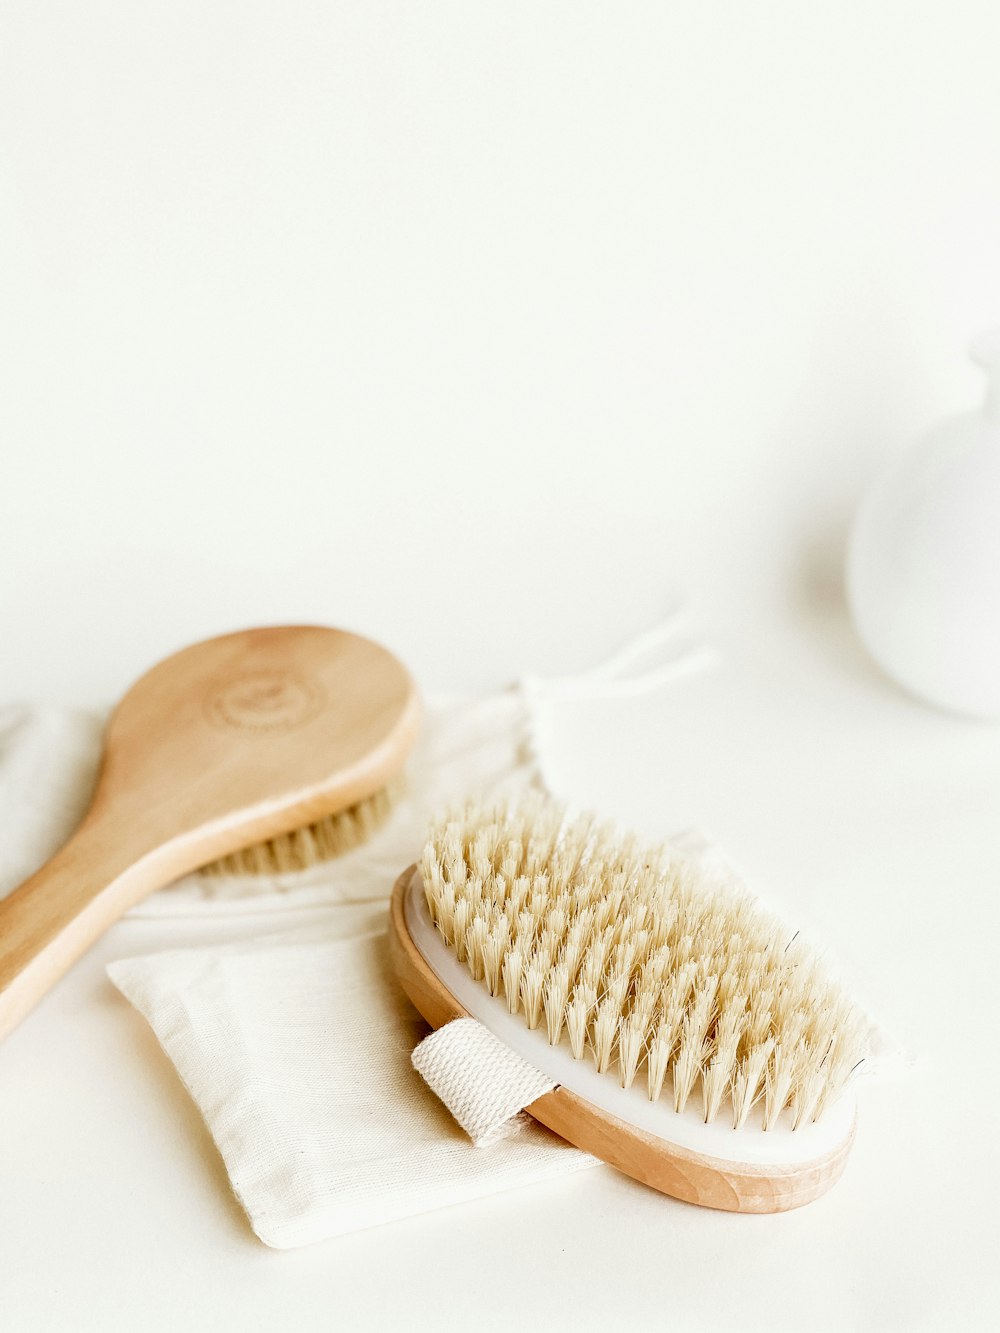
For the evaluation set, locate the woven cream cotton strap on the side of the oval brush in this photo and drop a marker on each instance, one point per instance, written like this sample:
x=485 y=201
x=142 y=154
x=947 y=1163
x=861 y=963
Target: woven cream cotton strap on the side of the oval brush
x=483 y=1083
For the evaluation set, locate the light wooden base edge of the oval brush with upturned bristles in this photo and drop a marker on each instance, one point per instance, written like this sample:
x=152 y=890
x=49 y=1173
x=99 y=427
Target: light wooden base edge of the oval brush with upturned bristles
x=697 y=1179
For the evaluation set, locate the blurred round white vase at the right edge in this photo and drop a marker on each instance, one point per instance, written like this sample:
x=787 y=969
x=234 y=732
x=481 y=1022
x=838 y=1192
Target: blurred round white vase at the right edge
x=923 y=567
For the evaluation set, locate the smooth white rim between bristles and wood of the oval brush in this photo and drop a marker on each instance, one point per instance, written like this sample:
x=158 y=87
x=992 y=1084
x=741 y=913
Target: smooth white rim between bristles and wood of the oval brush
x=777 y=1147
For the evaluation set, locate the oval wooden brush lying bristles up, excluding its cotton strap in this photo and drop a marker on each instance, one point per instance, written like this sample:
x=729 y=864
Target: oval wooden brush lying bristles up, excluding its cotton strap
x=695 y=1043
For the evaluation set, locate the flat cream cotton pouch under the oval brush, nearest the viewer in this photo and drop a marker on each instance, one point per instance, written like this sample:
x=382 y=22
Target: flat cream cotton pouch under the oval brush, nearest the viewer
x=298 y=1054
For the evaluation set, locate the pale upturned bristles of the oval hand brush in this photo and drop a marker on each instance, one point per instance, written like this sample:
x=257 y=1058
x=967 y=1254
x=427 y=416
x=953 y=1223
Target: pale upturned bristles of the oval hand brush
x=642 y=963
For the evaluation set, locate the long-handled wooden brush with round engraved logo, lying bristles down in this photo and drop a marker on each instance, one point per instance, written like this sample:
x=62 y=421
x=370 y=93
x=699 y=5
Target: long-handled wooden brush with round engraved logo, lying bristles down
x=227 y=744
